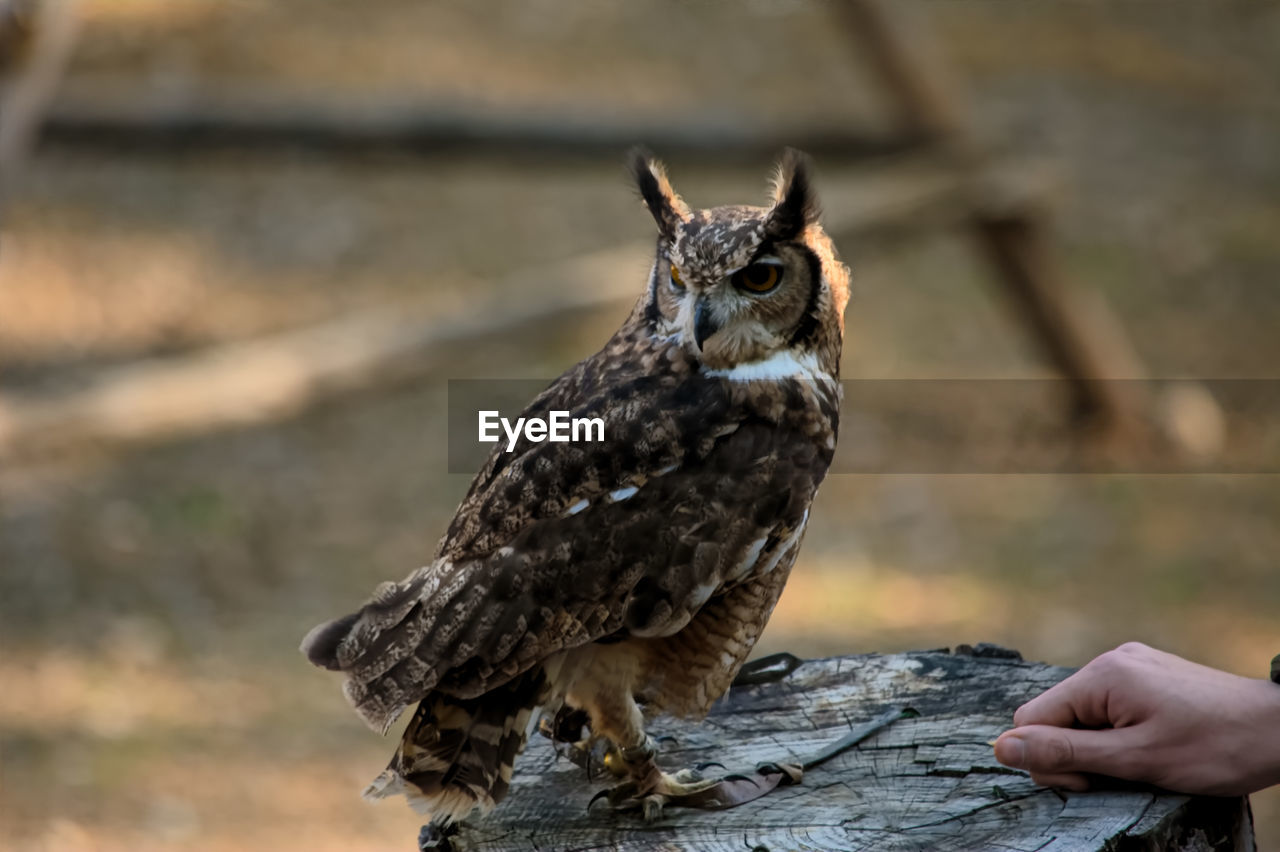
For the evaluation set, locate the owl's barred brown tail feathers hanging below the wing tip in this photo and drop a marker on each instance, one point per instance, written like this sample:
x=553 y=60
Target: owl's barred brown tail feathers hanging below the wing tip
x=458 y=755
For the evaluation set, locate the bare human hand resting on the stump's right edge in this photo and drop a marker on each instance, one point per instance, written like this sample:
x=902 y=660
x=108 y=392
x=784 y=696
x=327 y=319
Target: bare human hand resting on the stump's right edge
x=1141 y=714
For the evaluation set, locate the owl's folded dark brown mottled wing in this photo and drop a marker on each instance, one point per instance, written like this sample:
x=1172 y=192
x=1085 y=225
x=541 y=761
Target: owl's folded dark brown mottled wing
x=563 y=544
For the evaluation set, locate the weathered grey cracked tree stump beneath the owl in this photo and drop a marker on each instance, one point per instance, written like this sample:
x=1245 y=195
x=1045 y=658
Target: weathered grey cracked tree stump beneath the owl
x=922 y=784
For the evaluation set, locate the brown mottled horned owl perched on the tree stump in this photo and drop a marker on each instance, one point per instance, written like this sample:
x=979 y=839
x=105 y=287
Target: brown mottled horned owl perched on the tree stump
x=583 y=575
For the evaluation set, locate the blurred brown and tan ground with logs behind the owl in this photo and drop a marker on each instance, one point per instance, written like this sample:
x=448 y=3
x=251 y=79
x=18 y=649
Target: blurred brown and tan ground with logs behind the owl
x=257 y=240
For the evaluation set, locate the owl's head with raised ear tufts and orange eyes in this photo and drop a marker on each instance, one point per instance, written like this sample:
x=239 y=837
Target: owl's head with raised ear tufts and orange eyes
x=742 y=286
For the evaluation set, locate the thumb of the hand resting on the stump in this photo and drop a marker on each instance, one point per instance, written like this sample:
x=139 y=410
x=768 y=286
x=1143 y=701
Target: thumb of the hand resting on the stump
x=1045 y=750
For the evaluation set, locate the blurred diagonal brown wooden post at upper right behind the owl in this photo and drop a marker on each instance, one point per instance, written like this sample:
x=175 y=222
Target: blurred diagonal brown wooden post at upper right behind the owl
x=1092 y=355
